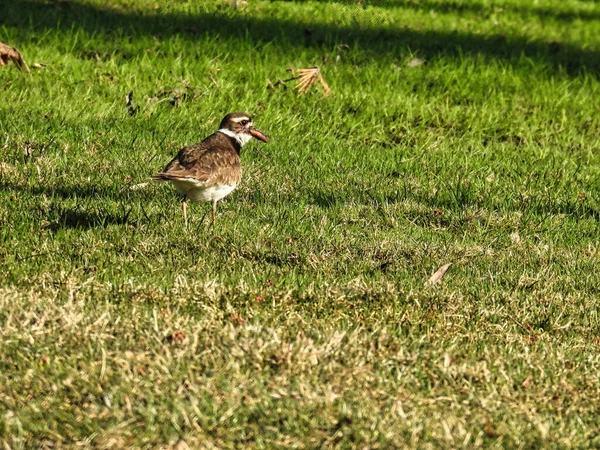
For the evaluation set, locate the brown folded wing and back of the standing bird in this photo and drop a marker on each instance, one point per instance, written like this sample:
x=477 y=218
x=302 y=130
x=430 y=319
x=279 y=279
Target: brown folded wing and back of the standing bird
x=214 y=161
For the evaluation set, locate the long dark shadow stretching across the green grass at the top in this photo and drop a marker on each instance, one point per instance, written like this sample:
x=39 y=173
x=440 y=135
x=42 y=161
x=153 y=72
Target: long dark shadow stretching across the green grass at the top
x=32 y=18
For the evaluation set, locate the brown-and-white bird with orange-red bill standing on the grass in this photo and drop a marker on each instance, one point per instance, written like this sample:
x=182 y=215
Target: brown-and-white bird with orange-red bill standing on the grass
x=210 y=170
